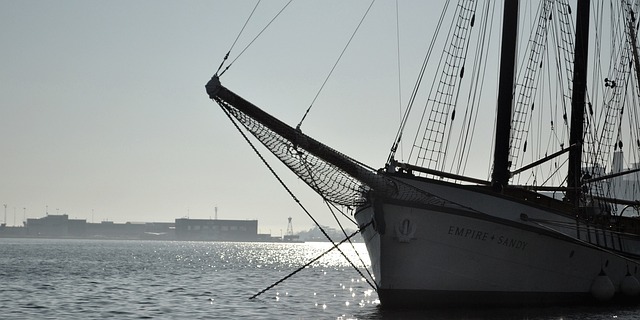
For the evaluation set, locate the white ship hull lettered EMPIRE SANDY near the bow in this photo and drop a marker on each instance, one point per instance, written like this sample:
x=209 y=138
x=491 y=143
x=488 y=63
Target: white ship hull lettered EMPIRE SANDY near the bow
x=499 y=252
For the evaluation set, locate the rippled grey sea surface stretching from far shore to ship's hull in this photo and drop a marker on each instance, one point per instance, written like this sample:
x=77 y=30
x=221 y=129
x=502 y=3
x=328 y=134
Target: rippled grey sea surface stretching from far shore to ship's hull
x=97 y=279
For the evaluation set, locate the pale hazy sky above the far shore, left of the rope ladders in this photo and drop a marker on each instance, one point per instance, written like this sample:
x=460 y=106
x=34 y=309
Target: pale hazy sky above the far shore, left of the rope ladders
x=103 y=107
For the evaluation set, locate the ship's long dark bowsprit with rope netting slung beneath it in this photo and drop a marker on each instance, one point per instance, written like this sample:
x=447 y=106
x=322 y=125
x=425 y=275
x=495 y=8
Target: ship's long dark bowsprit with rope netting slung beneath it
x=338 y=178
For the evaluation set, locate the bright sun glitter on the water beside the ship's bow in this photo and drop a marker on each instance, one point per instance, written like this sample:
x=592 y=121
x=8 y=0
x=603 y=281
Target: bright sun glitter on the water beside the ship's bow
x=311 y=286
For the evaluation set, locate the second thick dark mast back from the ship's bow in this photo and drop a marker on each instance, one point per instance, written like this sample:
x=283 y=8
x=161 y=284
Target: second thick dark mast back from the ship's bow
x=578 y=101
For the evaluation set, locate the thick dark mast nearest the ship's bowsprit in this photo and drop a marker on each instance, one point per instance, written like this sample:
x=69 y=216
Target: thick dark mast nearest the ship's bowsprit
x=500 y=176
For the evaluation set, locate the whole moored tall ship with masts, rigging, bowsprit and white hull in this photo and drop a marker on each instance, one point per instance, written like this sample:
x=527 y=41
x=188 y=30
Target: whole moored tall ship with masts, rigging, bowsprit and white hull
x=555 y=224
